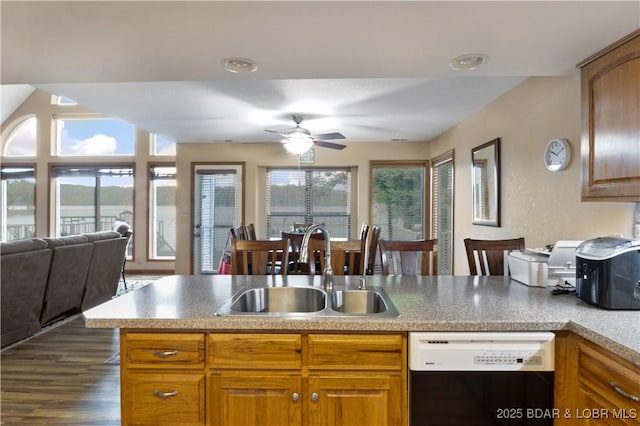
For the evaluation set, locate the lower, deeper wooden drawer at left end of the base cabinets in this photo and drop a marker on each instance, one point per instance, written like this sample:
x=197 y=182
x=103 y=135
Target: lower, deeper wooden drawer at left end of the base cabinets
x=165 y=399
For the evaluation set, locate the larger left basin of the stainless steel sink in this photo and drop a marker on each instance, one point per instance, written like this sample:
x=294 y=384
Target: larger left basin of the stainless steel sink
x=278 y=300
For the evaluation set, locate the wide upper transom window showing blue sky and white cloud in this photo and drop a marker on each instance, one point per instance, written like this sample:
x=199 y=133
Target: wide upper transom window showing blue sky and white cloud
x=94 y=137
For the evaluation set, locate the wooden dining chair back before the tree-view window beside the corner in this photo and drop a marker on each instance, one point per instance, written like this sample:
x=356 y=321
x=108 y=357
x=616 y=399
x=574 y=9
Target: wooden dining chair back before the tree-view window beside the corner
x=409 y=257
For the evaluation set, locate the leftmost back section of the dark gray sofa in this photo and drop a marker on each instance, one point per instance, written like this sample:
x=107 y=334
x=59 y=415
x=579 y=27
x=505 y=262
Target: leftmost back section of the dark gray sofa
x=24 y=271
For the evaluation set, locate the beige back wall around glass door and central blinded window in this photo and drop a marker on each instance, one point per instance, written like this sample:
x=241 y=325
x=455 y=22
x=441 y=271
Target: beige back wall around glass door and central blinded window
x=259 y=156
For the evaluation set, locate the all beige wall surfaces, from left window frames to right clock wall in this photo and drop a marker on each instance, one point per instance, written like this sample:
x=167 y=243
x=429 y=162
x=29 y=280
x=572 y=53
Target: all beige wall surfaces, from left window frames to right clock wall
x=539 y=205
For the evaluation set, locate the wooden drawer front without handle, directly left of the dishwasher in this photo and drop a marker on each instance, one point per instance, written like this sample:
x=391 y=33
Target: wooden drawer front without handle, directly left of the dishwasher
x=355 y=352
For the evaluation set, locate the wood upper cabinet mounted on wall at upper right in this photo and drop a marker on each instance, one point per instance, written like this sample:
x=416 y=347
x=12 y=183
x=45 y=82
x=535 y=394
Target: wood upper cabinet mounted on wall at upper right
x=610 y=147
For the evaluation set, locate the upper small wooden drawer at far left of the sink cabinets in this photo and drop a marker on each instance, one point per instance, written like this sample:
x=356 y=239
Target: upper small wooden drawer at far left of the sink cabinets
x=164 y=350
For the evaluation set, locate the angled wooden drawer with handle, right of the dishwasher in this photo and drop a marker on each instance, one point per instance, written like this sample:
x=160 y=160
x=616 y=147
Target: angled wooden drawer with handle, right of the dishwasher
x=600 y=370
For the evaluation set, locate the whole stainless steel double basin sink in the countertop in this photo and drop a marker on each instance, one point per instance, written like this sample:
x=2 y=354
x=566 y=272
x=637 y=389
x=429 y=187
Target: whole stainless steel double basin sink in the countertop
x=309 y=301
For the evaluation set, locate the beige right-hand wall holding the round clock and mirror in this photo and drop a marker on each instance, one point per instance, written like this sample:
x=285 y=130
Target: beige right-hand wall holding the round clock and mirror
x=537 y=204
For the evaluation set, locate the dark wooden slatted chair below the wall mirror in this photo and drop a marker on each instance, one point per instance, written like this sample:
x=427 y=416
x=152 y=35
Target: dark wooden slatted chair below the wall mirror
x=488 y=256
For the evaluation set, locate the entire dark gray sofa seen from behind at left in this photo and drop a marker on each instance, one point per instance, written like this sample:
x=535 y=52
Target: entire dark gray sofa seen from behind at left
x=44 y=280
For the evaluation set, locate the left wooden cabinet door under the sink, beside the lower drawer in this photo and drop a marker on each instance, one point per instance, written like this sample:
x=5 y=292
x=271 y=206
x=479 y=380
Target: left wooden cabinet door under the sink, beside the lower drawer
x=240 y=399
